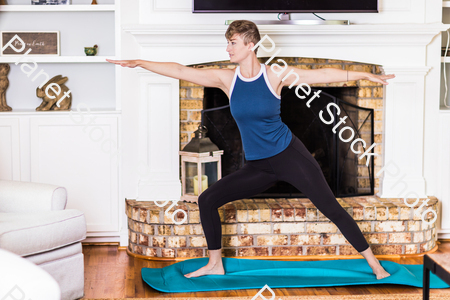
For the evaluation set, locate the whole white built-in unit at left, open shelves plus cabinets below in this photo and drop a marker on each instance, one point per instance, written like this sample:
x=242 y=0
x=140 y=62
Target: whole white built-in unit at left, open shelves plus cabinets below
x=56 y=146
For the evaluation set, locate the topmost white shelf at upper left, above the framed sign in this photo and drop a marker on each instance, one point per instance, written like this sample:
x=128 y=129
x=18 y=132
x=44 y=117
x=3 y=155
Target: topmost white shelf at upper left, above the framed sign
x=74 y=7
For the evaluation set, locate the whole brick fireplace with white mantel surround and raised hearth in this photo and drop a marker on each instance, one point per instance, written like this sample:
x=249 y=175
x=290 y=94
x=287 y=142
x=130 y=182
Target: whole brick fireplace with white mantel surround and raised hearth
x=169 y=112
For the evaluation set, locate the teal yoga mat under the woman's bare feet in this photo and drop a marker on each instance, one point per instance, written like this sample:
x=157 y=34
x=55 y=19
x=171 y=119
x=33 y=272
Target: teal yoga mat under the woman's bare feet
x=255 y=274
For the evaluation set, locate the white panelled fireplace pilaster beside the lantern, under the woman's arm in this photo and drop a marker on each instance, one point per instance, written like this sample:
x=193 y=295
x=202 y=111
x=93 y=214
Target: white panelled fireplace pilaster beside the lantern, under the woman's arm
x=159 y=135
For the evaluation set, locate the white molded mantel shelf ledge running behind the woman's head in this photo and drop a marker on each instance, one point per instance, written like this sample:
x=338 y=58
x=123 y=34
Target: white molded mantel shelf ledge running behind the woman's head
x=312 y=35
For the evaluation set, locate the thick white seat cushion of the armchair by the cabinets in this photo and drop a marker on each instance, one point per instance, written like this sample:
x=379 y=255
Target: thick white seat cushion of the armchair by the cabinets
x=32 y=233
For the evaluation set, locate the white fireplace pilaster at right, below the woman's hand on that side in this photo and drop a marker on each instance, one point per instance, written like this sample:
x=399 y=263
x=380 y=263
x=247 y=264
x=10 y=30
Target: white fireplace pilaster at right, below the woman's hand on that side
x=403 y=133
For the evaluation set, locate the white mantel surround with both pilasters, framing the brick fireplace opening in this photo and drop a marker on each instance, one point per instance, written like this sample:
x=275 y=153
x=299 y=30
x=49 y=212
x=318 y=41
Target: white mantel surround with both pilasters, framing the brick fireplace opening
x=409 y=51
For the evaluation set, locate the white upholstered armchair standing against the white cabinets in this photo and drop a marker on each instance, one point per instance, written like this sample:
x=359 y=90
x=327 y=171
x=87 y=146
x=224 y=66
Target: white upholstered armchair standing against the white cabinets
x=35 y=225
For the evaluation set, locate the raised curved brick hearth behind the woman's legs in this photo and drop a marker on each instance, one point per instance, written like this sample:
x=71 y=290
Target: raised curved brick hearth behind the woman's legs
x=280 y=227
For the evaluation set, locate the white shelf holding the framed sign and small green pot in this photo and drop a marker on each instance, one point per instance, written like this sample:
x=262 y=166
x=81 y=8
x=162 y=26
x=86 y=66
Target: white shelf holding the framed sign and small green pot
x=56 y=59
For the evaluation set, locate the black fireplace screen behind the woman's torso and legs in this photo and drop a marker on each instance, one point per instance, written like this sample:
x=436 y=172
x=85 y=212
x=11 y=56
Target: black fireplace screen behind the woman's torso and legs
x=346 y=174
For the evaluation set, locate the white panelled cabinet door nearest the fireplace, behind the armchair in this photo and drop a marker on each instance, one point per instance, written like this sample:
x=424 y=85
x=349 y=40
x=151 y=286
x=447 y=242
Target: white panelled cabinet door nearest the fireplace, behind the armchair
x=68 y=152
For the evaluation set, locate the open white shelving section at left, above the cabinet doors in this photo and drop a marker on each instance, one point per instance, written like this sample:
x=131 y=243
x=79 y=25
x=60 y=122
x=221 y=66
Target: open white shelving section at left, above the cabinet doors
x=79 y=26
